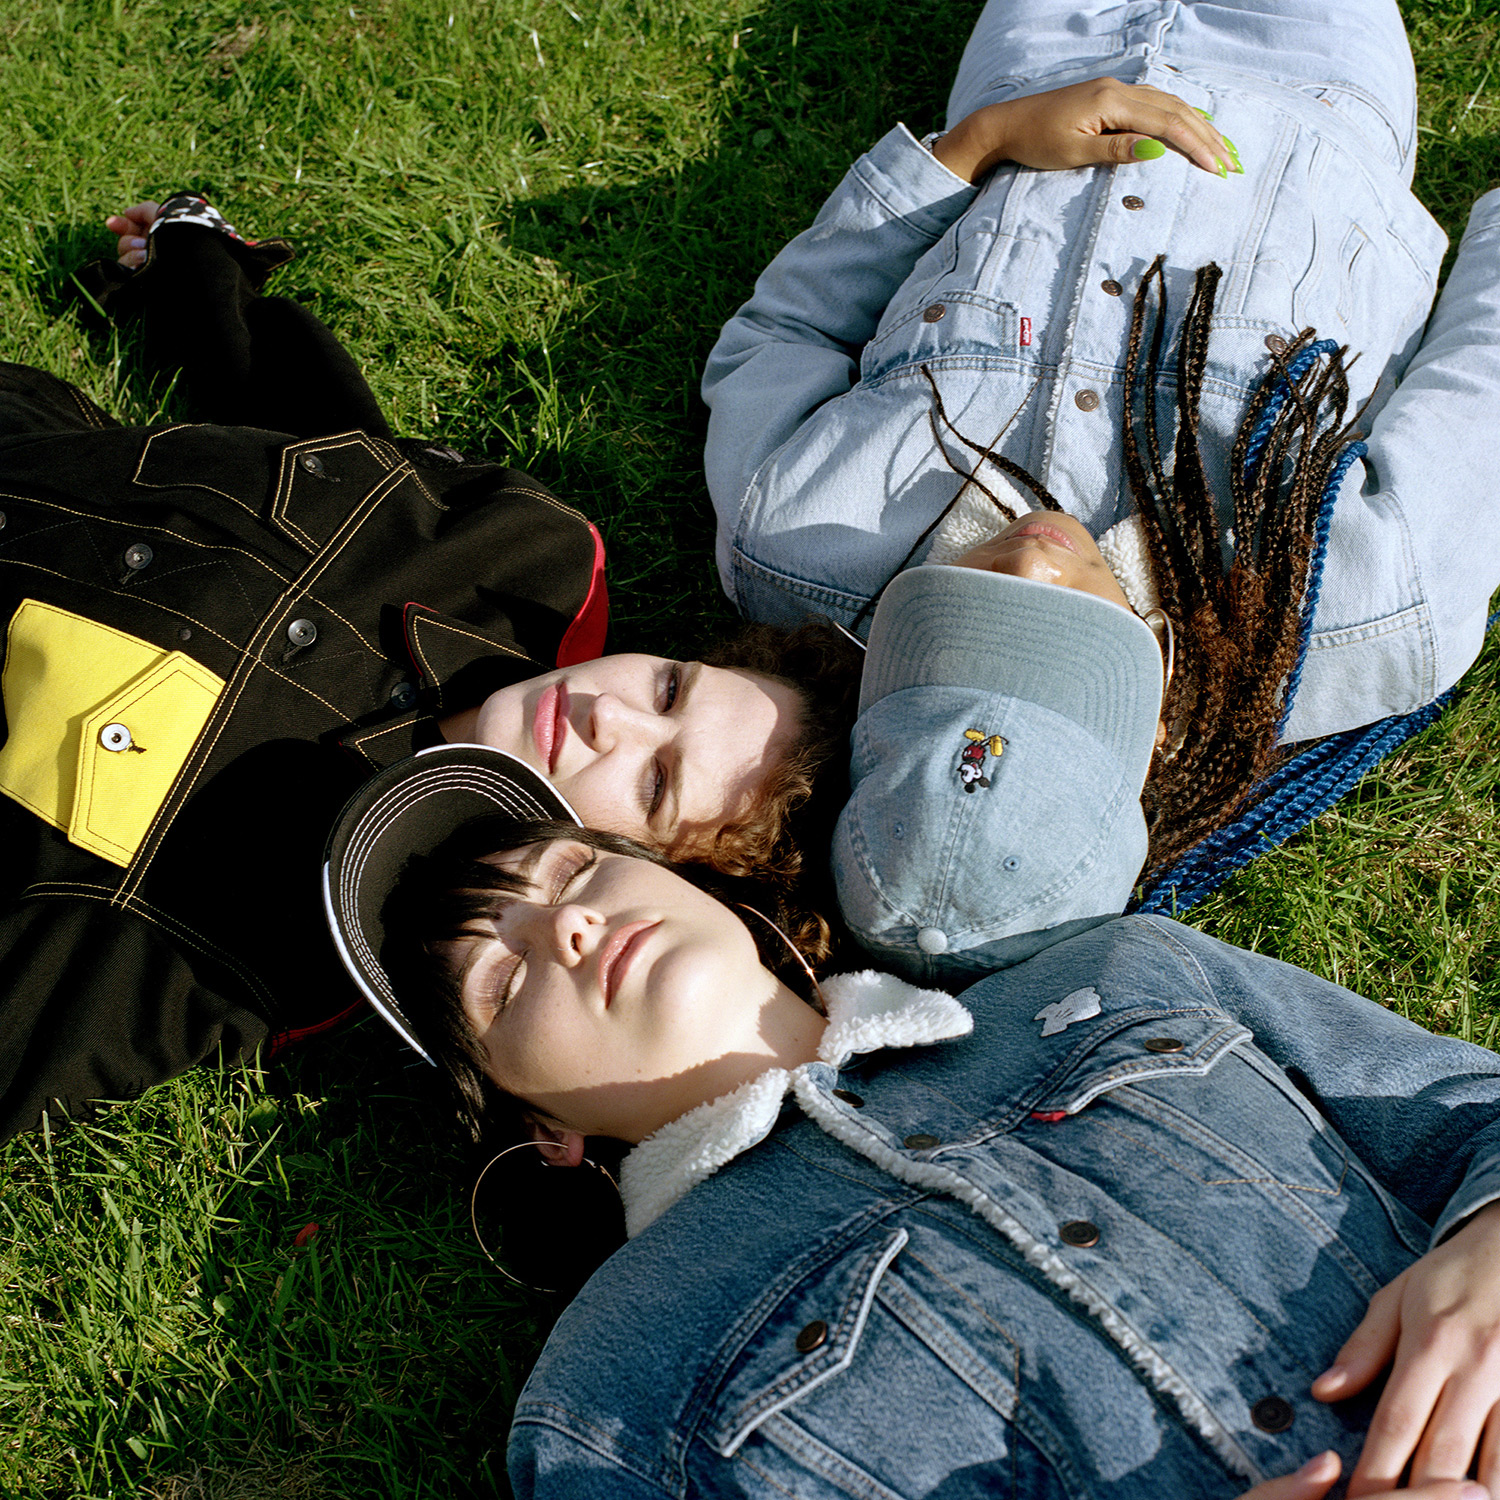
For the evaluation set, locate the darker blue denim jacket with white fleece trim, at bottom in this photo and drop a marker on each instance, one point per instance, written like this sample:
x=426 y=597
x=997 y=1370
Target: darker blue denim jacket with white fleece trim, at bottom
x=1099 y=1247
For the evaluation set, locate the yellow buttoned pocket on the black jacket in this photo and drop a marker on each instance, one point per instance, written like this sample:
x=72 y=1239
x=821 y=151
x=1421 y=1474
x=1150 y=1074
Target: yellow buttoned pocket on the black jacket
x=100 y=725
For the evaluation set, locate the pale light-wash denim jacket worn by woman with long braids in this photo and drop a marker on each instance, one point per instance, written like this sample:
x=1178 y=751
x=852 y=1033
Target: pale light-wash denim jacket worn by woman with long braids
x=824 y=472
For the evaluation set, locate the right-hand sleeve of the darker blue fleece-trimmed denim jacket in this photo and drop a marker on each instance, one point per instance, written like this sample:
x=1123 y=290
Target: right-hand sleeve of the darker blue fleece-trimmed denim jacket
x=1423 y=1112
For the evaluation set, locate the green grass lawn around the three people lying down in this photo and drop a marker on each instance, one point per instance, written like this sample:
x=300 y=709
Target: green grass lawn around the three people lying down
x=527 y=220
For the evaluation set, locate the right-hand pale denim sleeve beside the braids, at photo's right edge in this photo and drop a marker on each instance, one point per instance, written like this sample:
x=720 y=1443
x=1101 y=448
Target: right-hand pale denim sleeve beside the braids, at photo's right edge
x=1415 y=545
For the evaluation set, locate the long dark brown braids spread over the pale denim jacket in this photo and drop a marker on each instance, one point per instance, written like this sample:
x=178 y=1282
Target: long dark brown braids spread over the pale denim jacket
x=1238 y=598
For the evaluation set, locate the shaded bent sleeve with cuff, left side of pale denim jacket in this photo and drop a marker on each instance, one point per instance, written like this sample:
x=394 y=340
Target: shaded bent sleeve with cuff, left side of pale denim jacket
x=797 y=341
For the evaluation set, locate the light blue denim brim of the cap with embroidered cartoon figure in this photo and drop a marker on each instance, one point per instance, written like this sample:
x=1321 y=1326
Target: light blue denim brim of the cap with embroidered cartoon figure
x=1061 y=649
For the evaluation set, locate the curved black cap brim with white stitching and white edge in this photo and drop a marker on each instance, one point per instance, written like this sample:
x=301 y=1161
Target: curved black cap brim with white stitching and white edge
x=410 y=809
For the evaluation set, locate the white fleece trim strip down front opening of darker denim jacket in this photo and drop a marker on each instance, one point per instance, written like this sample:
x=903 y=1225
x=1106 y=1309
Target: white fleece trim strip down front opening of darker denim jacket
x=1138 y=1349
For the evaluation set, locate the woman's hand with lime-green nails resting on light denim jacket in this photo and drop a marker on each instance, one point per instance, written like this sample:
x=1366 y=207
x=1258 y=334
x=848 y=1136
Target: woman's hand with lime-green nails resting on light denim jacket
x=1102 y=121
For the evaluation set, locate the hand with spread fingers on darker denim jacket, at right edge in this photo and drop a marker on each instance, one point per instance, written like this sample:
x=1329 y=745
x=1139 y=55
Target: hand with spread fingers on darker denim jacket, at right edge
x=1438 y=1327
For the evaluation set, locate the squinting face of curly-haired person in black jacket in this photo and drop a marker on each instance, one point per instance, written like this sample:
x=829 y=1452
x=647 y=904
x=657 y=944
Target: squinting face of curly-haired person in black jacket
x=667 y=752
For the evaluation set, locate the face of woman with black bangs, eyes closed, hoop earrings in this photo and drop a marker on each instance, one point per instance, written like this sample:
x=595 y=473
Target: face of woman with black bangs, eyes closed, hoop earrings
x=614 y=997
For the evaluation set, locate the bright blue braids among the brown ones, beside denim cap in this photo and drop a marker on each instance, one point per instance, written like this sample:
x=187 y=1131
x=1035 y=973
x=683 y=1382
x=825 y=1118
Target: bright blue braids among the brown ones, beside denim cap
x=1325 y=772
